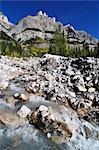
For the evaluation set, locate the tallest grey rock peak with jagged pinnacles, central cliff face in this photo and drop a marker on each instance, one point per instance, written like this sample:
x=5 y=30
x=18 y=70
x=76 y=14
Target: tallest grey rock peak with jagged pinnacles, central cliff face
x=31 y=26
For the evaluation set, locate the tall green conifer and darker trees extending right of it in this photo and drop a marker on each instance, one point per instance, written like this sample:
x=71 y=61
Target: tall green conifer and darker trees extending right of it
x=59 y=46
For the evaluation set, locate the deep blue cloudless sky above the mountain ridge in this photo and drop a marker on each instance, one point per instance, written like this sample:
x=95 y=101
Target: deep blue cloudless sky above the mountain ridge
x=83 y=15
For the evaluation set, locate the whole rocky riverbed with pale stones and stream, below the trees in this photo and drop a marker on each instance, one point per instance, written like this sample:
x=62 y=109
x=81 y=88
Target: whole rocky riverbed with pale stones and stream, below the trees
x=49 y=103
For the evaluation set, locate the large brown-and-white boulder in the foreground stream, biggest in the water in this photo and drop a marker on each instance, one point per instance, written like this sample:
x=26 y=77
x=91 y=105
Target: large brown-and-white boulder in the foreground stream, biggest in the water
x=52 y=122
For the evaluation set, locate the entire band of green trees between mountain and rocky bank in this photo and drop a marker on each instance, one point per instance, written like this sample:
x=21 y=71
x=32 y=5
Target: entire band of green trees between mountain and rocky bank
x=33 y=47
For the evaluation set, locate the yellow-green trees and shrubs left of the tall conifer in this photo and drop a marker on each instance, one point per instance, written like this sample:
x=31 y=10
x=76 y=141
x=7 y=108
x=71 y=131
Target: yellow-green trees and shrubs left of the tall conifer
x=13 y=48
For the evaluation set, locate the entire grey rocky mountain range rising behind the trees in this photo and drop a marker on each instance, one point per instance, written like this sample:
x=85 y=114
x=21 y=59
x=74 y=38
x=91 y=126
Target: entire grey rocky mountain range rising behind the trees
x=43 y=27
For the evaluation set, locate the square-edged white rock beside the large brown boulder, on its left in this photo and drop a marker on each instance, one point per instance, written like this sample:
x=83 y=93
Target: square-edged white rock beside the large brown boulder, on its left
x=24 y=112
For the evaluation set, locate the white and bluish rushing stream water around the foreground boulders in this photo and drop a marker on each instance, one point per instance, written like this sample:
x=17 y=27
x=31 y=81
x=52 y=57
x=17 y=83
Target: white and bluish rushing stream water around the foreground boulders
x=27 y=137
